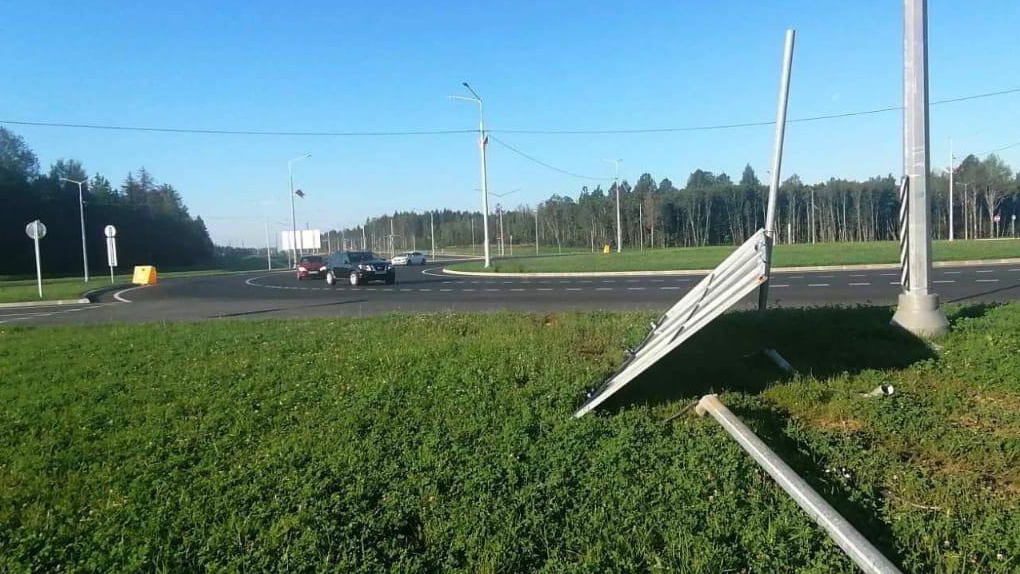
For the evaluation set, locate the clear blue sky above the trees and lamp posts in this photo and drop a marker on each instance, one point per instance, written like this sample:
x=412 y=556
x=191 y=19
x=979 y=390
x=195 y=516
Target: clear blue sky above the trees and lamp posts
x=346 y=67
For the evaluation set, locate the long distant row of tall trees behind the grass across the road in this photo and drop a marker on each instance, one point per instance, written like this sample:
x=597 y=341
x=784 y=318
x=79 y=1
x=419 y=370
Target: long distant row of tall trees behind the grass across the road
x=713 y=210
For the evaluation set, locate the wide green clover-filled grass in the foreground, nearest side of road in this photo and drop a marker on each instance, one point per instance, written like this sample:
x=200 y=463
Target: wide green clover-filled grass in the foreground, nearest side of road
x=445 y=444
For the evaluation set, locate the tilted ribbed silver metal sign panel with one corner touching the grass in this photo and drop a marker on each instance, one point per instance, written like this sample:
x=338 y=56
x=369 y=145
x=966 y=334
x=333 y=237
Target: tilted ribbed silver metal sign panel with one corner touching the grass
x=737 y=277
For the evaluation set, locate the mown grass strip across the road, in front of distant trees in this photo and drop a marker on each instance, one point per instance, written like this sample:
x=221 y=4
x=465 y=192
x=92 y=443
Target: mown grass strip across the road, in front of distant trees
x=798 y=255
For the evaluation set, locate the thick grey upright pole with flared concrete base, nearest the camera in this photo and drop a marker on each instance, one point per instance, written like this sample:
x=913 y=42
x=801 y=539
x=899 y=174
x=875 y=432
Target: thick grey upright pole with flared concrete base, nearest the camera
x=919 y=310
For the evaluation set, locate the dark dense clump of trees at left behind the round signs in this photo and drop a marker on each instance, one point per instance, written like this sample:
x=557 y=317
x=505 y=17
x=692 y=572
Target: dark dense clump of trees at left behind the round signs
x=154 y=225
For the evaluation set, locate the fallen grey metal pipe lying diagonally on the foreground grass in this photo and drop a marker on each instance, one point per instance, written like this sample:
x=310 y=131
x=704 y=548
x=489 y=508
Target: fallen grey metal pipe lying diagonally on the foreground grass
x=843 y=533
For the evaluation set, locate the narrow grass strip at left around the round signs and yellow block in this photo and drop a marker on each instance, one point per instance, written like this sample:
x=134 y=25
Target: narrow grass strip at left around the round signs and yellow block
x=23 y=289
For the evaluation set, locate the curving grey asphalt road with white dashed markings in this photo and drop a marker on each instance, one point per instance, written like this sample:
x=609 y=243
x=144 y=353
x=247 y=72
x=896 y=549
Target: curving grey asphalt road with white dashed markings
x=427 y=289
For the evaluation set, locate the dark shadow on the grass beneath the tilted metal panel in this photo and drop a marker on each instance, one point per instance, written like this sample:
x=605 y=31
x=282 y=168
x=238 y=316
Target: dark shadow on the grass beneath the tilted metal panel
x=727 y=356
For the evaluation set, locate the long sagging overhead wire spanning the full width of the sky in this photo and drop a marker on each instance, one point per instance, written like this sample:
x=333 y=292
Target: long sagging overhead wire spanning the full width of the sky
x=709 y=128
